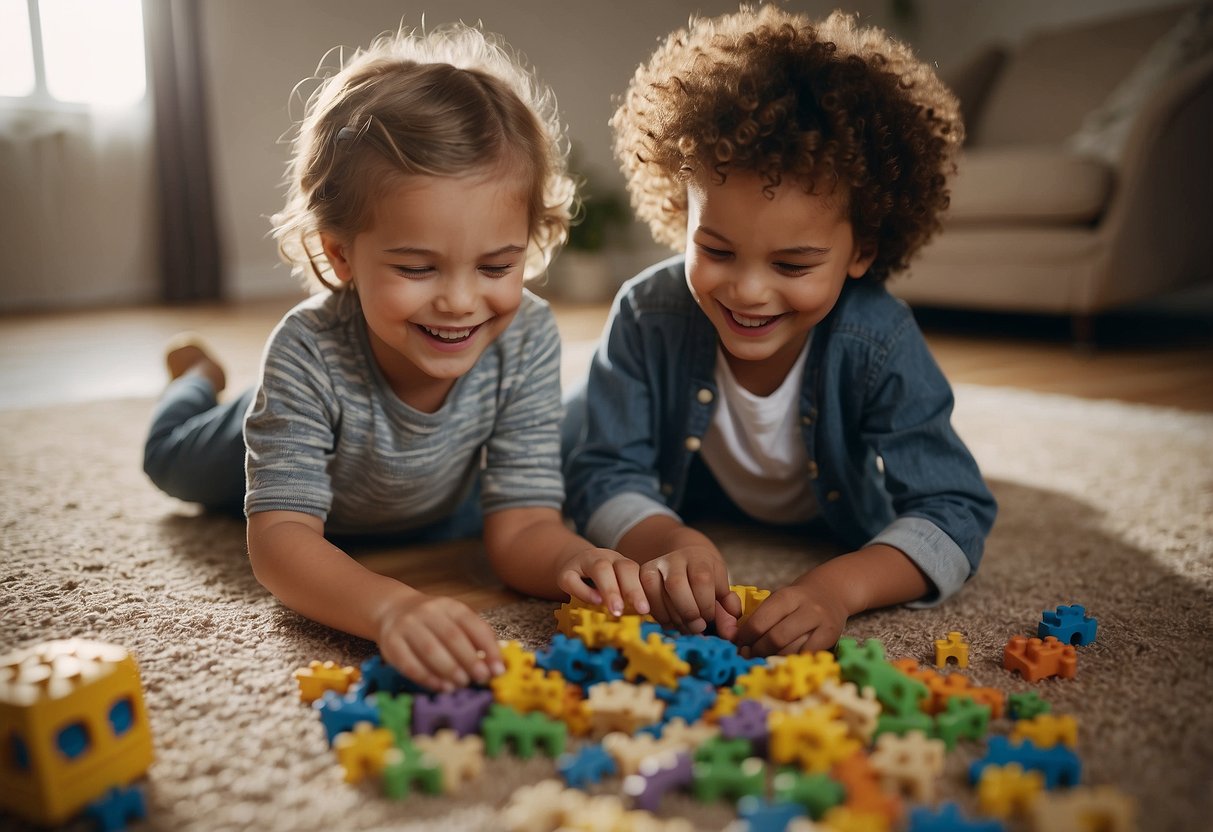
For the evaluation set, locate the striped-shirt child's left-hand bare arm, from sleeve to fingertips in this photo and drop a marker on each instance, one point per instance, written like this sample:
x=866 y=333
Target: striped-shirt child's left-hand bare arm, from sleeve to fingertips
x=437 y=642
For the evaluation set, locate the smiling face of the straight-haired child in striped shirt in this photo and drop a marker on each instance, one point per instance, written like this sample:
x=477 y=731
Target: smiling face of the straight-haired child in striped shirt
x=440 y=277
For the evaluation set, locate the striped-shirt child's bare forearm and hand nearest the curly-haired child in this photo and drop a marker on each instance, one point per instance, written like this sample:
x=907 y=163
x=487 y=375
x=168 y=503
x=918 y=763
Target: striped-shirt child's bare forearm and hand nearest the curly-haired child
x=534 y=552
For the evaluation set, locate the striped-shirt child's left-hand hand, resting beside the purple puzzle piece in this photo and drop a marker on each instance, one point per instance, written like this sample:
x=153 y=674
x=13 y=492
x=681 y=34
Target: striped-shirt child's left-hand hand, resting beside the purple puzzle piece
x=438 y=642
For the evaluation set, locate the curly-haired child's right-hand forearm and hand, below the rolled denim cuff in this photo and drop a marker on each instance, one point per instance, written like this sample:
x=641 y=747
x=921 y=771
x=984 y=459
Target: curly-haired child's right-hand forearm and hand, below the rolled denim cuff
x=810 y=614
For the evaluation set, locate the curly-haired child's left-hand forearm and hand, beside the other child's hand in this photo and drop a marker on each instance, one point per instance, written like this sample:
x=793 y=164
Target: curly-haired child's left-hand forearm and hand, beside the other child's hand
x=684 y=575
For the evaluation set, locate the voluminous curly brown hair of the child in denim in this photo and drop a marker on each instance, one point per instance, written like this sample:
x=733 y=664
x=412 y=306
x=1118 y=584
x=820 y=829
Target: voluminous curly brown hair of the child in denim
x=775 y=94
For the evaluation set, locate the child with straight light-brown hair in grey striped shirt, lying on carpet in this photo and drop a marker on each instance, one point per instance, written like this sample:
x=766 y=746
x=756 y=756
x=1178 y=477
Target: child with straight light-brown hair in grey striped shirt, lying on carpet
x=418 y=392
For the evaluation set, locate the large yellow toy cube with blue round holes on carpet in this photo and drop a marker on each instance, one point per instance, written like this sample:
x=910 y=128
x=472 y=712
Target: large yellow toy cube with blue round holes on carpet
x=75 y=726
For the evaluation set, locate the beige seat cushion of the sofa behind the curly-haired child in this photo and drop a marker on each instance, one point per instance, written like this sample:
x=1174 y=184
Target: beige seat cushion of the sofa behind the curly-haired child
x=1035 y=186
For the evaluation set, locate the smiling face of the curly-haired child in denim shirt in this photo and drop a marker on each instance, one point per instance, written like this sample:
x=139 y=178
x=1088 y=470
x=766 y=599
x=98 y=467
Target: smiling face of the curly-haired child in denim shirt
x=766 y=271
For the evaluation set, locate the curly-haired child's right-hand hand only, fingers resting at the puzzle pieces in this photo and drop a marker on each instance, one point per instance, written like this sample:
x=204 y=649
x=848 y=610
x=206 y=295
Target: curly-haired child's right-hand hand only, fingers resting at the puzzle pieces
x=799 y=618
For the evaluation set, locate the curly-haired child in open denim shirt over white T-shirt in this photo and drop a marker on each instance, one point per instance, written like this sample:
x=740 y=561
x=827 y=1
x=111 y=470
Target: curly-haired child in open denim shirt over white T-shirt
x=767 y=373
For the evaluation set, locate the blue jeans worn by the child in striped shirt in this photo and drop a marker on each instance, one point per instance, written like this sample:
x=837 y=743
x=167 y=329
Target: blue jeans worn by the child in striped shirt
x=195 y=452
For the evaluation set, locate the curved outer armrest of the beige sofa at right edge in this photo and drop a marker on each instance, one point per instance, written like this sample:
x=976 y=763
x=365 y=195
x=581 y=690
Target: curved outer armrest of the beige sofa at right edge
x=1158 y=224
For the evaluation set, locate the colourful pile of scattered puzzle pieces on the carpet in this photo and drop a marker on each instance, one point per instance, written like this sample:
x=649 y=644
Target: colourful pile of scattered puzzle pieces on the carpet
x=840 y=740
